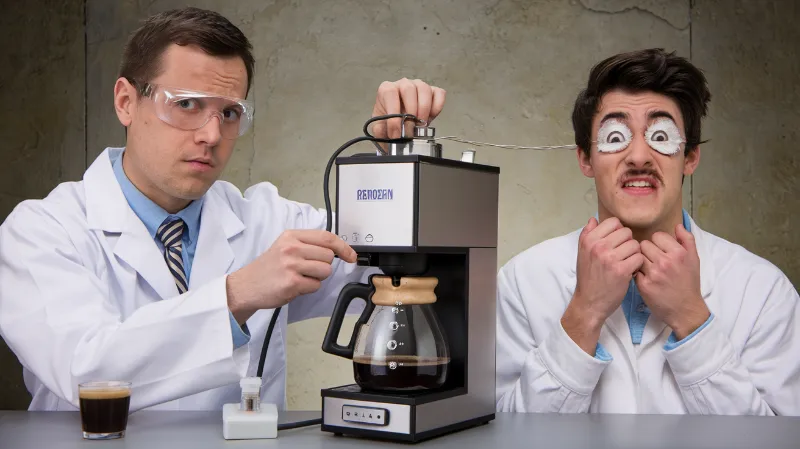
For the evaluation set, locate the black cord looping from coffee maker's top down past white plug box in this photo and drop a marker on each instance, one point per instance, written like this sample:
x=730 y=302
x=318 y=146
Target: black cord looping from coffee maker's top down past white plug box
x=326 y=191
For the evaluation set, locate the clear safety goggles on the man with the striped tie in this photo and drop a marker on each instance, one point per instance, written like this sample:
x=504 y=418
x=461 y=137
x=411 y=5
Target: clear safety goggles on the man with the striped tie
x=189 y=109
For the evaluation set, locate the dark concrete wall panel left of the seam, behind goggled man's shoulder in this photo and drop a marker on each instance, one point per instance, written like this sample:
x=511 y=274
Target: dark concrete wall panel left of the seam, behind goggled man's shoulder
x=41 y=122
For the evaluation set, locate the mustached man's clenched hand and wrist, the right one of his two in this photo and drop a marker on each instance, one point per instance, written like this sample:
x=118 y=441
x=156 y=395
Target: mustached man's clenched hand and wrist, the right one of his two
x=669 y=281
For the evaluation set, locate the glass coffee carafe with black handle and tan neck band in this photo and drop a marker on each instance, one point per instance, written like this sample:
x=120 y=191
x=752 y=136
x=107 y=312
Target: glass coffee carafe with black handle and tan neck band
x=397 y=343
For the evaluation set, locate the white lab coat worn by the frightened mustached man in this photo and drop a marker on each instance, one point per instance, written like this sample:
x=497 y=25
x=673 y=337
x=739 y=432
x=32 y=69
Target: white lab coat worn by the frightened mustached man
x=746 y=361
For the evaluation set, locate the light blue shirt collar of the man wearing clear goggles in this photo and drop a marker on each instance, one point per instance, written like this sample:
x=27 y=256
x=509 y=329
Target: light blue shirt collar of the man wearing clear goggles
x=151 y=214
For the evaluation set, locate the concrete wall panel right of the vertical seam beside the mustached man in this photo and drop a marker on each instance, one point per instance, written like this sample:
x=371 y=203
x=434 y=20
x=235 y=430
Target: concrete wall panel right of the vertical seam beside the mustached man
x=747 y=188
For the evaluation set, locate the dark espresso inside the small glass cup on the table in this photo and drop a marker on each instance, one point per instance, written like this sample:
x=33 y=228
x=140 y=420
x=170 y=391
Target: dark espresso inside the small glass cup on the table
x=104 y=411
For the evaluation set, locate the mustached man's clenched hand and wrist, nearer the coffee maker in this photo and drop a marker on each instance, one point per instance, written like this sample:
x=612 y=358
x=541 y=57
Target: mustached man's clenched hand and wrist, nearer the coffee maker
x=607 y=258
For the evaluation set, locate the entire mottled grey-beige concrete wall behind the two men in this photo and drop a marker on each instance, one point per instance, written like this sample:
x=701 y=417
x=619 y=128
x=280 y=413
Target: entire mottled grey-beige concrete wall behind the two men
x=511 y=68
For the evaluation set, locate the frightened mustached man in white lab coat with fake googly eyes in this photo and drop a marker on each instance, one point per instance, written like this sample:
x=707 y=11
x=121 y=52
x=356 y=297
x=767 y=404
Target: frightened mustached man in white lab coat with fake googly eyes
x=641 y=311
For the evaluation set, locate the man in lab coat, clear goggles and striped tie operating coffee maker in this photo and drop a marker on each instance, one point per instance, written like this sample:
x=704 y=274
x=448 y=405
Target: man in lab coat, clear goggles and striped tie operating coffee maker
x=150 y=269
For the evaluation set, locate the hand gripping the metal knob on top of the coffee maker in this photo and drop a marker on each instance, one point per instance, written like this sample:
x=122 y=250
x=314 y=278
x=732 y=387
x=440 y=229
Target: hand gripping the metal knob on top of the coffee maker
x=405 y=97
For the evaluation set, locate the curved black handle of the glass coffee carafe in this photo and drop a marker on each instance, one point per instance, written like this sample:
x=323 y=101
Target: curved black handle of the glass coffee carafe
x=346 y=296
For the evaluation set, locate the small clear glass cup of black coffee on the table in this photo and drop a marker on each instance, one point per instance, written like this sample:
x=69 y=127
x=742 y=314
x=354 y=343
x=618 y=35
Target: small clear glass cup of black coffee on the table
x=104 y=409
